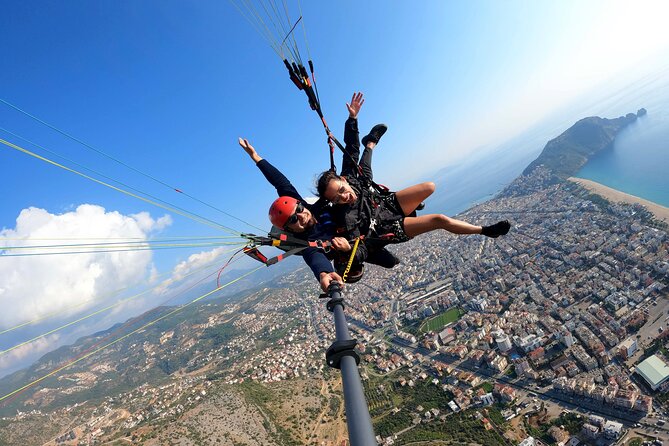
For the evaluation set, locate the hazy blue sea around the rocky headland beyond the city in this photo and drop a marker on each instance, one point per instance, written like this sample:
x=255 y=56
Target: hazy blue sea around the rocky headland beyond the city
x=637 y=163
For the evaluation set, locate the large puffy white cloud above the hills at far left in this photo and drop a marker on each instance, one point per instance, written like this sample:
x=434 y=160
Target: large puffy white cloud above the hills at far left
x=35 y=286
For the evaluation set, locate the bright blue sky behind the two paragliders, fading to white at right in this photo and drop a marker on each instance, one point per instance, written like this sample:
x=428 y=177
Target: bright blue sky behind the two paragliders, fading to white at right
x=168 y=86
